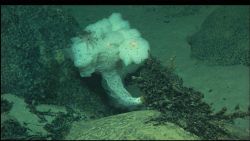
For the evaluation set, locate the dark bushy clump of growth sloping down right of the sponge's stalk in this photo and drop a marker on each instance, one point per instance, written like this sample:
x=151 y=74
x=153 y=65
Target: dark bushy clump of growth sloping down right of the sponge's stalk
x=164 y=91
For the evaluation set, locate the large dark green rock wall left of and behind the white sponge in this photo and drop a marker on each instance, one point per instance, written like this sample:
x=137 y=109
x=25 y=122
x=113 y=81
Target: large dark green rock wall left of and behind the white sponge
x=32 y=61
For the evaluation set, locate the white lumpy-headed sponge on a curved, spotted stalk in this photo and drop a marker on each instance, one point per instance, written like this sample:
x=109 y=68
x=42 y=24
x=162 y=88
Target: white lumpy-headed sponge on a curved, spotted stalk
x=110 y=40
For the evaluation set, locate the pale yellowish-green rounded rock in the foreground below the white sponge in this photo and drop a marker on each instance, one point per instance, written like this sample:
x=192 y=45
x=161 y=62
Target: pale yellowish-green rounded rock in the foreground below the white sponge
x=127 y=126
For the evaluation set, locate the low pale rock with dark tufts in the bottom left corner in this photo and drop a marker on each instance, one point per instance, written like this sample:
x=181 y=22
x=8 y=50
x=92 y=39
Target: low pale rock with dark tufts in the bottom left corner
x=45 y=122
